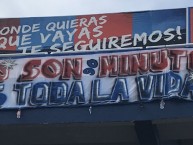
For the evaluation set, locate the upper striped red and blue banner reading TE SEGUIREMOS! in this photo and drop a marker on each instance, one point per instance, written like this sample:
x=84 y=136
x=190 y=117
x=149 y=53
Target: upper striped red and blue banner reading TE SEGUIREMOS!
x=93 y=32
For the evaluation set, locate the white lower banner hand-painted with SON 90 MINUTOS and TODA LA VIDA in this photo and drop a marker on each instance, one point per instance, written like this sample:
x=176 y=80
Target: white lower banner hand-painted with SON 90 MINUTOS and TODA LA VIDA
x=96 y=78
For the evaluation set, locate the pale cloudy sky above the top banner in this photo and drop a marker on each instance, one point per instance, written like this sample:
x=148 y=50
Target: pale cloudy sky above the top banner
x=34 y=8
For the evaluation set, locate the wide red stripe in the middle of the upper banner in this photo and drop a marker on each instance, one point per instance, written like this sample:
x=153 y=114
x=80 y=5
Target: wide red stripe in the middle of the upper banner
x=116 y=25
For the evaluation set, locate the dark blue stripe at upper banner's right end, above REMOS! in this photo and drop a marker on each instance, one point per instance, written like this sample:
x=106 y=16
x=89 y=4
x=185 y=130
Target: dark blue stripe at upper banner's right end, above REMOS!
x=158 y=20
